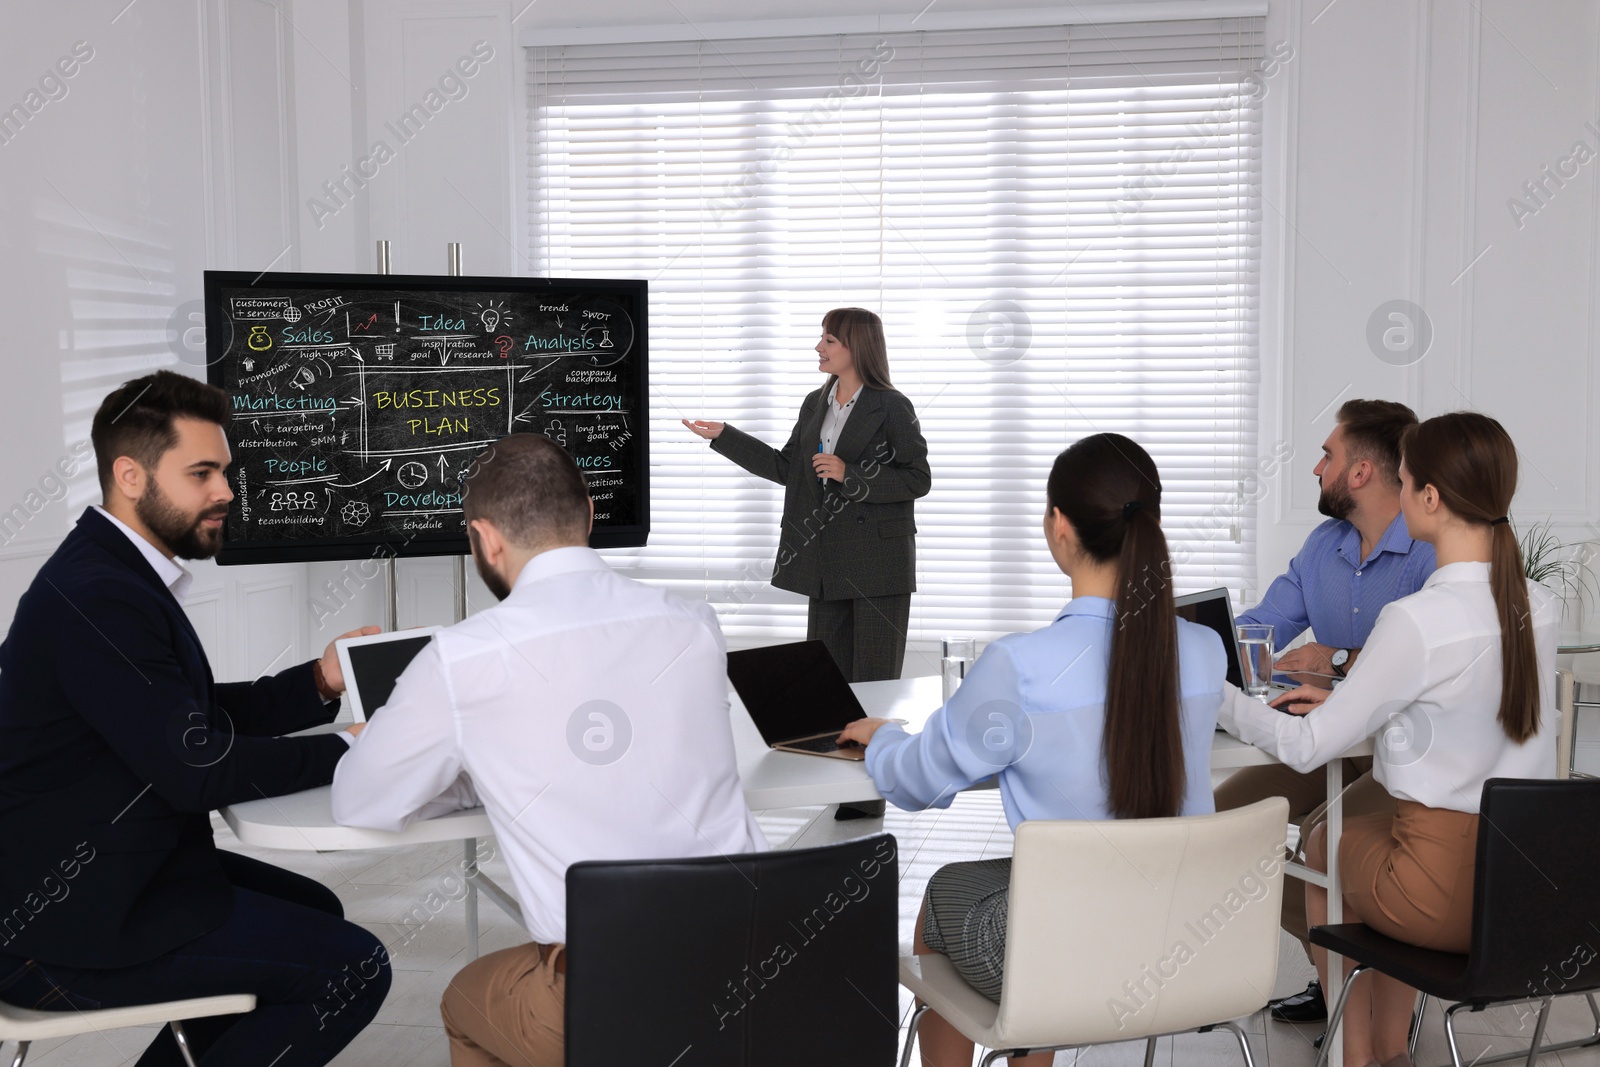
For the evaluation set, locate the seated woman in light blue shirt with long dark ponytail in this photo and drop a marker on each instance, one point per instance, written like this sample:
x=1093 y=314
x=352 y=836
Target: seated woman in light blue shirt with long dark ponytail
x=1105 y=714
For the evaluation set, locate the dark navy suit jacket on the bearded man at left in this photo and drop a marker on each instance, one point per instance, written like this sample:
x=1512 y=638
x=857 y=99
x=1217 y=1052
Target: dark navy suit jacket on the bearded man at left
x=114 y=746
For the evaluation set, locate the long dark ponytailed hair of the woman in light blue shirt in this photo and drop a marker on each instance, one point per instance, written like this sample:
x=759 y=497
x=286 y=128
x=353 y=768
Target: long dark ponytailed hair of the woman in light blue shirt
x=1110 y=490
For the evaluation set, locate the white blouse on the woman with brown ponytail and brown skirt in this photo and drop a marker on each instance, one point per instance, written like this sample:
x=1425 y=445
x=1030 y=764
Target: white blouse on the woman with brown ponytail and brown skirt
x=1428 y=687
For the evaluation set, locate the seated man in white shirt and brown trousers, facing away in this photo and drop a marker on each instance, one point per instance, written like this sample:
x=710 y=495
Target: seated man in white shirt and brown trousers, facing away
x=588 y=713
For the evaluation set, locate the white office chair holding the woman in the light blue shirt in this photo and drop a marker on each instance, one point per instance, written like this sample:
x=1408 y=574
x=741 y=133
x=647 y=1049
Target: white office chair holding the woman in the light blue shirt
x=1124 y=930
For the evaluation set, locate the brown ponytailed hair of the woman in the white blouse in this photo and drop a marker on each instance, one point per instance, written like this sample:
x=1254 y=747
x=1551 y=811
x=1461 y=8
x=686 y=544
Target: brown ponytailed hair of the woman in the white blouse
x=1470 y=458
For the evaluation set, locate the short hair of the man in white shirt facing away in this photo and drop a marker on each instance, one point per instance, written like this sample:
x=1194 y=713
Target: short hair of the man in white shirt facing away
x=532 y=490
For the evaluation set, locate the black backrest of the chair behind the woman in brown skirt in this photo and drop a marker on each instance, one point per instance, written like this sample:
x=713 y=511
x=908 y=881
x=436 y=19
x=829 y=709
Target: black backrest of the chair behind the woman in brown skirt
x=1537 y=889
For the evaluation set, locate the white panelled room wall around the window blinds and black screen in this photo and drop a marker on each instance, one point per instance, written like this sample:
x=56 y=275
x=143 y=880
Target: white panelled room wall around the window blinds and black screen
x=199 y=132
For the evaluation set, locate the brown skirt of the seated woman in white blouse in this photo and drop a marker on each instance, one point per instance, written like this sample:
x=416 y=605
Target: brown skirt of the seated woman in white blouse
x=1409 y=876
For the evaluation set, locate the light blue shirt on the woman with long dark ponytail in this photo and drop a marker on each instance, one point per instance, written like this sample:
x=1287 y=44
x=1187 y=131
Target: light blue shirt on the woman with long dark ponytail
x=1033 y=711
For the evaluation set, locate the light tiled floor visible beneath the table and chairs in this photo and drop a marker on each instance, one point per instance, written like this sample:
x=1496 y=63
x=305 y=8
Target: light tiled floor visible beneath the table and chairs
x=382 y=889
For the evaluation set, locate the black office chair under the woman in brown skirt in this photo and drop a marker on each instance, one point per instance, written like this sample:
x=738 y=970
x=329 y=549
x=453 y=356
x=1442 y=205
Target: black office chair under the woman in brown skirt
x=1537 y=895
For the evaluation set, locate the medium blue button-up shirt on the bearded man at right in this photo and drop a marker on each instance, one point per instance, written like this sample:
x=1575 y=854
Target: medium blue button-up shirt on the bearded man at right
x=1334 y=591
